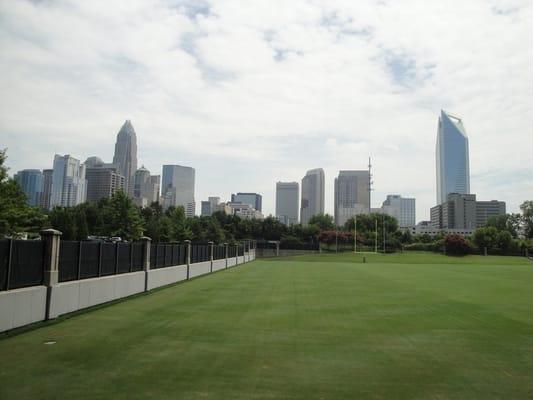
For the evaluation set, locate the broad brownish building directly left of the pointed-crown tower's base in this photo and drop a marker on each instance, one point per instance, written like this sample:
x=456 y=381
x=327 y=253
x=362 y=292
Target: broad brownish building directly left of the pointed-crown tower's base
x=103 y=180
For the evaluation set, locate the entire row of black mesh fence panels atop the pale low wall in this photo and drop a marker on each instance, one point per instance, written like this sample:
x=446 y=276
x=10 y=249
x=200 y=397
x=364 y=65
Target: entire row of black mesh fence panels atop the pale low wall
x=22 y=261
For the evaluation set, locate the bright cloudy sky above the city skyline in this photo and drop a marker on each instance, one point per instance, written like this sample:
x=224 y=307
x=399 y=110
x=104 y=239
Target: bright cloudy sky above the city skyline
x=254 y=92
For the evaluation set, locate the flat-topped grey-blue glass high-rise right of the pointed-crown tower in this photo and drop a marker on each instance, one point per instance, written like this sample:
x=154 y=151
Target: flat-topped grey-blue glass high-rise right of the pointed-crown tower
x=178 y=188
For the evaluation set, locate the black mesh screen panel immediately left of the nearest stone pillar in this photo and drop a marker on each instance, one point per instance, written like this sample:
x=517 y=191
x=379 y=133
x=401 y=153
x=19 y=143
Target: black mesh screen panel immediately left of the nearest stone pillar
x=26 y=264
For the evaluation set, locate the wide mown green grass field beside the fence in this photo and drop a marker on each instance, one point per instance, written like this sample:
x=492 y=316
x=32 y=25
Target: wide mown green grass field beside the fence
x=406 y=326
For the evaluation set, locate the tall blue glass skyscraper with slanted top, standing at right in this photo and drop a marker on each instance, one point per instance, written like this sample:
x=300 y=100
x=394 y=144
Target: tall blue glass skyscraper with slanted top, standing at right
x=453 y=170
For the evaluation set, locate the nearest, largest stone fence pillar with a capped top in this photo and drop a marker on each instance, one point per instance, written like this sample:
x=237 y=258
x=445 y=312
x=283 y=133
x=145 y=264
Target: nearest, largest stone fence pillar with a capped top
x=52 y=241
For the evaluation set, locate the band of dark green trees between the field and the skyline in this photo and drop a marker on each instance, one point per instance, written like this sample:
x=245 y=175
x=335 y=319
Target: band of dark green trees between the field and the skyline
x=118 y=216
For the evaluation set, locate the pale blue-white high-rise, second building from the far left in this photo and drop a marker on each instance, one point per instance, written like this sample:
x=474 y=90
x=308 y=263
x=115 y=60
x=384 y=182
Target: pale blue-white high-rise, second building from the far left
x=69 y=186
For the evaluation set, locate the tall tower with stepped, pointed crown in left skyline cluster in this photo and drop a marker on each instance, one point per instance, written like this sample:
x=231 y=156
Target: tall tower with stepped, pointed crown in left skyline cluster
x=125 y=157
